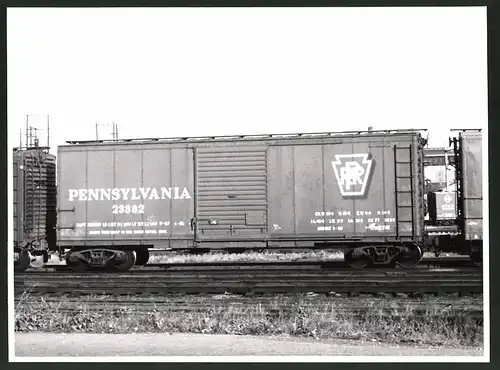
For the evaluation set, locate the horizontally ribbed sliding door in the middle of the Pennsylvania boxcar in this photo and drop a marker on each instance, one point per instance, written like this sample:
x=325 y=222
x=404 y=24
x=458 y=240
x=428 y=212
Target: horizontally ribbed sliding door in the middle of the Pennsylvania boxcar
x=231 y=192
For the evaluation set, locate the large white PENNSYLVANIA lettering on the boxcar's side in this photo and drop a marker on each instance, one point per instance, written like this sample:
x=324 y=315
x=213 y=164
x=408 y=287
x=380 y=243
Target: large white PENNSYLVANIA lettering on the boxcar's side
x=97 y=194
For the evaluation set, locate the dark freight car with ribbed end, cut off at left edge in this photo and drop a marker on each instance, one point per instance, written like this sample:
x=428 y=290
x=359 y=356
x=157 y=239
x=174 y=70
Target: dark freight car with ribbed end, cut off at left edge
x=34 y=186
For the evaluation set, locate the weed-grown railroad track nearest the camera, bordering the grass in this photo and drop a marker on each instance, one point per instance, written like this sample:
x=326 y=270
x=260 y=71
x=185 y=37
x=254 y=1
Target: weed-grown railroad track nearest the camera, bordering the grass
x=267 y=304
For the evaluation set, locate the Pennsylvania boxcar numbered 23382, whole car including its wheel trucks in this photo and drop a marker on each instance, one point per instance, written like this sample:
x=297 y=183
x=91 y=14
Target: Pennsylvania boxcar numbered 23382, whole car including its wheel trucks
x=360 y=191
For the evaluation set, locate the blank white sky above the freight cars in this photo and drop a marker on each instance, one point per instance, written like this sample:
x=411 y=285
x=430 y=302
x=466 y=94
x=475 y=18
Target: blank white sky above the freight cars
x=169 y=72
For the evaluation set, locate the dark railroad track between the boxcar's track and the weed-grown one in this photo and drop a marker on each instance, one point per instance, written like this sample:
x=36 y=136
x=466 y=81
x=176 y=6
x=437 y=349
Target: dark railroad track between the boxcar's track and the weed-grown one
x=234 y=279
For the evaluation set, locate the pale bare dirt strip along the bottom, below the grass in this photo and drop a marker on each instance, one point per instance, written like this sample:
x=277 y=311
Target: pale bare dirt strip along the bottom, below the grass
x=53 y=345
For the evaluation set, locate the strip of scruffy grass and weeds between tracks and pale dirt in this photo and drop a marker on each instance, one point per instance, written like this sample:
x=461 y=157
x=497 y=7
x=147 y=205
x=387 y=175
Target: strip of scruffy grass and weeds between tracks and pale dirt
x=450 y=327
